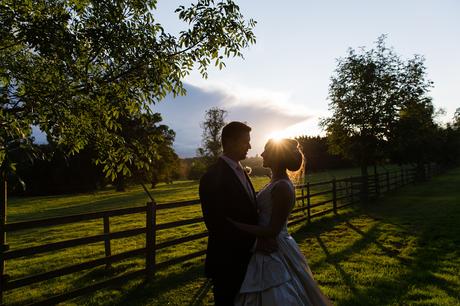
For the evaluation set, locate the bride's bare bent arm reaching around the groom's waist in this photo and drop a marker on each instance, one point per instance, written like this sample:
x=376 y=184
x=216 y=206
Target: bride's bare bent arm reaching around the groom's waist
x=281 y=199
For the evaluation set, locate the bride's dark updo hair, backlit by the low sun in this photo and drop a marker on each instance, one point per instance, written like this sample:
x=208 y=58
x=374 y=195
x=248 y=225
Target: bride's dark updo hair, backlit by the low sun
x=288 y=153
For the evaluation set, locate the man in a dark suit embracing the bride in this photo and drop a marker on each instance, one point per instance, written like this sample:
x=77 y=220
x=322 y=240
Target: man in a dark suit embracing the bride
x=227 y=192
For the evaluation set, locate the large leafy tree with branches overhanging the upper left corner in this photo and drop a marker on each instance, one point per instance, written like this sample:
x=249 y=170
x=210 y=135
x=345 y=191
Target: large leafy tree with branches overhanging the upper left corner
x=74 y=68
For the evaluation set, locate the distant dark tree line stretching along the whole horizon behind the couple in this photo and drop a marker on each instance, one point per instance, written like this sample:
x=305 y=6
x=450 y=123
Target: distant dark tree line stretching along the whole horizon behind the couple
x=57 y=173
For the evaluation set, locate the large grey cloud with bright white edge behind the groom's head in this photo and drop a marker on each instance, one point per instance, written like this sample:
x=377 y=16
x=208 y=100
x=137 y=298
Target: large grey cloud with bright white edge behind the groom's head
x=265 y=111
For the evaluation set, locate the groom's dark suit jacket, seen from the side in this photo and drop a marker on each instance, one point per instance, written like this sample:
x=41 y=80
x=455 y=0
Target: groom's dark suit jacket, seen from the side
x=223 y=196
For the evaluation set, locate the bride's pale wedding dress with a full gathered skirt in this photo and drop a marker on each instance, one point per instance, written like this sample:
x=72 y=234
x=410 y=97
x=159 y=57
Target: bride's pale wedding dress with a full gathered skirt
x=281 y=278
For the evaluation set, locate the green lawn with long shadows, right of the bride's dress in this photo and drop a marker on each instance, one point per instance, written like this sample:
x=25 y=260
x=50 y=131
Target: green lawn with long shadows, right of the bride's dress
x=401 y=250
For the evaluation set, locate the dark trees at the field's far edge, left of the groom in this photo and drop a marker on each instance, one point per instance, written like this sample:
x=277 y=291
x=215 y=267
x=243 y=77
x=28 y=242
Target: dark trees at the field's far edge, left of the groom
x=58 y=173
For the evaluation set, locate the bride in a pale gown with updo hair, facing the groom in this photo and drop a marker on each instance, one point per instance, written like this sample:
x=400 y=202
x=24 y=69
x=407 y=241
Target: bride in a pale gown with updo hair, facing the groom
x=282 y=277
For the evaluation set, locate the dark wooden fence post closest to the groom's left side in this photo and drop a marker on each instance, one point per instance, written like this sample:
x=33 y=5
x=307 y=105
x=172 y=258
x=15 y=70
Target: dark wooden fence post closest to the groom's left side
x=150 y=240
